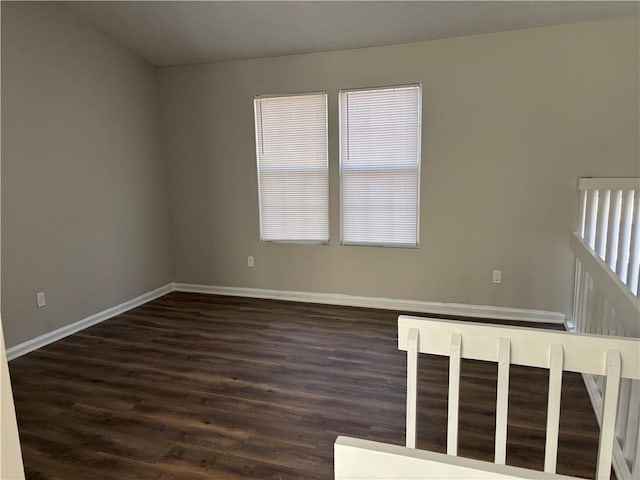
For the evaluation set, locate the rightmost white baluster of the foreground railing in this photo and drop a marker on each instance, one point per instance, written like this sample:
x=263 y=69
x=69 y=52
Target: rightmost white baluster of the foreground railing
x=607 y=429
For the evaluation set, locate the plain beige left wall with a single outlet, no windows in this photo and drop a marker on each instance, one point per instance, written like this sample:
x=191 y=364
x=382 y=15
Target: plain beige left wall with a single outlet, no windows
x=84 y=197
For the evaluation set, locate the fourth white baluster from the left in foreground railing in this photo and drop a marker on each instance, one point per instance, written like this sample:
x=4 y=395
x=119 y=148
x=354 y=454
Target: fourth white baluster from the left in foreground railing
x=556 y=362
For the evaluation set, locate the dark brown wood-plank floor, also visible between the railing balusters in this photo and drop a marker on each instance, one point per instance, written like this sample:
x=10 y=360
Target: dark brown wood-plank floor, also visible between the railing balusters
x=194 y=386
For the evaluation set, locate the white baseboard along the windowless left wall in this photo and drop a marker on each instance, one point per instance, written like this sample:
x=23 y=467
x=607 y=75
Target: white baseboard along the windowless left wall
x=50 y=337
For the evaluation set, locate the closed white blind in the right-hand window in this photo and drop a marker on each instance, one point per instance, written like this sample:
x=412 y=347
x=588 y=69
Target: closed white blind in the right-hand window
x=380 y=165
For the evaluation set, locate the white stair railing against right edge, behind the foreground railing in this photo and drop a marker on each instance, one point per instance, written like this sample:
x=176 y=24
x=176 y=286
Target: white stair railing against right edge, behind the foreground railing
x=607 y=251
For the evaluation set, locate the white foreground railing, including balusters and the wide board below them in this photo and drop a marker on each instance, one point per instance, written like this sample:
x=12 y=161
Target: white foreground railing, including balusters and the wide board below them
x=617 y=359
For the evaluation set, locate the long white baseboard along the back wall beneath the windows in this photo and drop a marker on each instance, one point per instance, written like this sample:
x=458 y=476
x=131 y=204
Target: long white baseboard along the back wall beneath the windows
x=479 y=311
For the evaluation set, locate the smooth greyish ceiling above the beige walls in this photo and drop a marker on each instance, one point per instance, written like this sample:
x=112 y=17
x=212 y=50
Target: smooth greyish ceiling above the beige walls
x=177 y=32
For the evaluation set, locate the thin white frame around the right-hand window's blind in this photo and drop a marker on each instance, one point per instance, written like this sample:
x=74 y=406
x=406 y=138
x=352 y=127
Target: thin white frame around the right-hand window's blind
x=418 y=170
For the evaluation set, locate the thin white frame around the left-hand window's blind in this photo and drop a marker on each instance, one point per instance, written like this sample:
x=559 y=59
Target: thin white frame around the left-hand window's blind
x=257 y=164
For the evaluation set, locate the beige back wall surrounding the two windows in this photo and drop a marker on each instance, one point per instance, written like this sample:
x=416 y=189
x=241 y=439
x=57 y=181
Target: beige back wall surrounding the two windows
x=510 y=121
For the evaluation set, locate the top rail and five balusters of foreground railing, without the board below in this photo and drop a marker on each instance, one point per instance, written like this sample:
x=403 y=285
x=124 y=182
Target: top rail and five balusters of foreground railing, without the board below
x=613 y=358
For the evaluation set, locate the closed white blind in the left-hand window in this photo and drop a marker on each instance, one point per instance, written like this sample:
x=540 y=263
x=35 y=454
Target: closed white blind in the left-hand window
x=291 y=147
